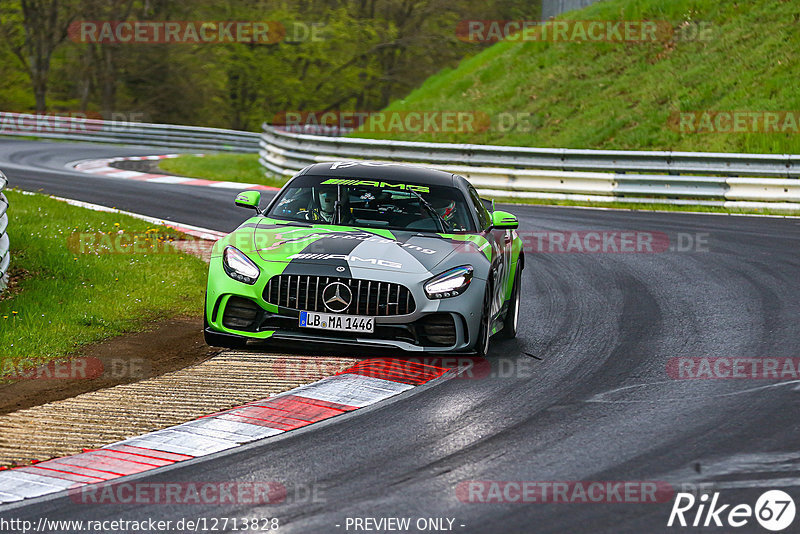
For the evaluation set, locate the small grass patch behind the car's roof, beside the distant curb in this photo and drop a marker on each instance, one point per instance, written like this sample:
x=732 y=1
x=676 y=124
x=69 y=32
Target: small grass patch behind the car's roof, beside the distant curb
x=223 y=167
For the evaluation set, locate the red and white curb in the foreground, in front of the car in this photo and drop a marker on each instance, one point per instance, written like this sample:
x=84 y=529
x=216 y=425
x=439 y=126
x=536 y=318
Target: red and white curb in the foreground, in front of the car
x=363 y=384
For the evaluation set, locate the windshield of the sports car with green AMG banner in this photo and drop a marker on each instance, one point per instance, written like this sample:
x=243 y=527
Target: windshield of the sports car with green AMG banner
x=374 y=204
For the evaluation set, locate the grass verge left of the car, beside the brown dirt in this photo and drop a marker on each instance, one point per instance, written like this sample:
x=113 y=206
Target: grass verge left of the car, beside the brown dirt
x=61 y=300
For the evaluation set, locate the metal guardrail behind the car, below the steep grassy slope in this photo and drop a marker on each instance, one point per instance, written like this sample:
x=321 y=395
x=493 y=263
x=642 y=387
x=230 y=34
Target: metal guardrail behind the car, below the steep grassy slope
x=744 y=180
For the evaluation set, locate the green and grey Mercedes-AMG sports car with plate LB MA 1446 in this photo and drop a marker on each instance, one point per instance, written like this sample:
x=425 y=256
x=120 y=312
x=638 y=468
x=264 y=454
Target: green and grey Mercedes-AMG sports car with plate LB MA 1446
x=369 y=254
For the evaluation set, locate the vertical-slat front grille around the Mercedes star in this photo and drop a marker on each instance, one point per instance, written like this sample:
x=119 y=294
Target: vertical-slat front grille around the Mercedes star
x=304 y=292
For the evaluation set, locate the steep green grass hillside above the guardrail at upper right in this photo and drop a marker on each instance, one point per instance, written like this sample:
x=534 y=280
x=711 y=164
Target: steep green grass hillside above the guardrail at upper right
x=621 y=96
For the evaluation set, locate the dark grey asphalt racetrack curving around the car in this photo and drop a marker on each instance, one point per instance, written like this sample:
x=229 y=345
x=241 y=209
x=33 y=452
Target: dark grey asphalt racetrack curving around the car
x=586 y=392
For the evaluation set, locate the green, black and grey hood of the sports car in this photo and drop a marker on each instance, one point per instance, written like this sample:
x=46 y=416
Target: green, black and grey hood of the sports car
x=328 y=246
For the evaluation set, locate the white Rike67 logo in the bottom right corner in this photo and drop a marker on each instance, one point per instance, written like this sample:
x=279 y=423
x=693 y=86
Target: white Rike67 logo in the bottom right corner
x=774 y=510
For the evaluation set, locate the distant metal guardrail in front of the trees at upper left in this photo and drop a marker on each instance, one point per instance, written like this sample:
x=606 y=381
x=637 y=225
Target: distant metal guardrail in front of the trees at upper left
x=127 y=132
